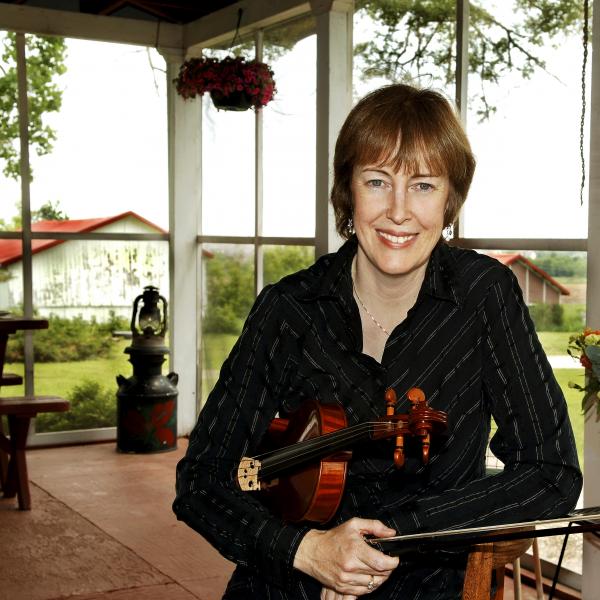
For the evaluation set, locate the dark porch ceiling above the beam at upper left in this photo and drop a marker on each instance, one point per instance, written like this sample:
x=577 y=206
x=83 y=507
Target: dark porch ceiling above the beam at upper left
x=178 y=12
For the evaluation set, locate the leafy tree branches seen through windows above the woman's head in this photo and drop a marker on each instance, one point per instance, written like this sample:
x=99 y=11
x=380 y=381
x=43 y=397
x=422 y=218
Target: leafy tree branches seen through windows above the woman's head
x=412 y=38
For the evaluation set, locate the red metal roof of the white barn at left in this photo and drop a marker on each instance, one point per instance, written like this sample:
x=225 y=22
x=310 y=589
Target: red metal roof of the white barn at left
x=11 y=250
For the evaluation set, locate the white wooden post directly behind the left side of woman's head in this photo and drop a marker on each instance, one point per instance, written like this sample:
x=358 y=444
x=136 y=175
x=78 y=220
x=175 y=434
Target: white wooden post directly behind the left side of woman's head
x=334 y=100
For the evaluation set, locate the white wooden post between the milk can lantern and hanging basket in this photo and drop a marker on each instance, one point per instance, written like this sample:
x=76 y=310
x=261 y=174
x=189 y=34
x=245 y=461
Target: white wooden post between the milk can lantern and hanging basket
x=185 y=151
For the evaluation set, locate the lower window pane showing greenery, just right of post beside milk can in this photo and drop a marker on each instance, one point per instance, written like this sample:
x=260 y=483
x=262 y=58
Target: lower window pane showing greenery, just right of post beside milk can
x=227 y=296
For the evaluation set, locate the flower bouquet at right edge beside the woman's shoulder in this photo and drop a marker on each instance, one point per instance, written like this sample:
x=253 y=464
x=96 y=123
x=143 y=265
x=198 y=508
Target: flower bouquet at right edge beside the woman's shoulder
x=585 y=347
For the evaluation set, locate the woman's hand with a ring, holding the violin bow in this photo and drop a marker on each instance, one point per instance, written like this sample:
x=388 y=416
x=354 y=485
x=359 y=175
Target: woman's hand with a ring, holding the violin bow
x=342 y=561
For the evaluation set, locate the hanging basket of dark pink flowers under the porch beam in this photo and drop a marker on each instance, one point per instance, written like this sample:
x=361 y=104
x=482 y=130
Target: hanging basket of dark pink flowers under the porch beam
x=233 y=83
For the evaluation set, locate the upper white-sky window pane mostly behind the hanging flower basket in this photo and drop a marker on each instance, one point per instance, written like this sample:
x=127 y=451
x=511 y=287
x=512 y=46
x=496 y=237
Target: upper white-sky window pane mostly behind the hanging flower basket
x=228 y=151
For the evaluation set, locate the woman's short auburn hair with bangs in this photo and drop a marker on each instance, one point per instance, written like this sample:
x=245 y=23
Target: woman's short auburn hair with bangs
x=406 y=128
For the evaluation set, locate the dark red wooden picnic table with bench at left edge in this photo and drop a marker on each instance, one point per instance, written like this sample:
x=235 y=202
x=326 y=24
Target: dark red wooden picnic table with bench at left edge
x=19 y=411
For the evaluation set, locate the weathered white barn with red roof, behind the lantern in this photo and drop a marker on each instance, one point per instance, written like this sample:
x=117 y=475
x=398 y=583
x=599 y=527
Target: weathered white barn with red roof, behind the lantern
x=87 y=278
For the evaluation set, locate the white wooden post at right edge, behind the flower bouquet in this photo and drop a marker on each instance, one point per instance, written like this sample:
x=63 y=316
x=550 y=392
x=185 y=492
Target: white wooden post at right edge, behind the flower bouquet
x=591 y=454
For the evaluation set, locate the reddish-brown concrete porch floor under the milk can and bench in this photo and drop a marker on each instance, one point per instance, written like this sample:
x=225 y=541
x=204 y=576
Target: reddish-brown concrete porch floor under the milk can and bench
x=101 y=528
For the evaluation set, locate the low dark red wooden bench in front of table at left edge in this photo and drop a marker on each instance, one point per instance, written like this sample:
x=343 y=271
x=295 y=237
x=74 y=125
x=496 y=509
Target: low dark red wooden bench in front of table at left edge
x=19 y=411
